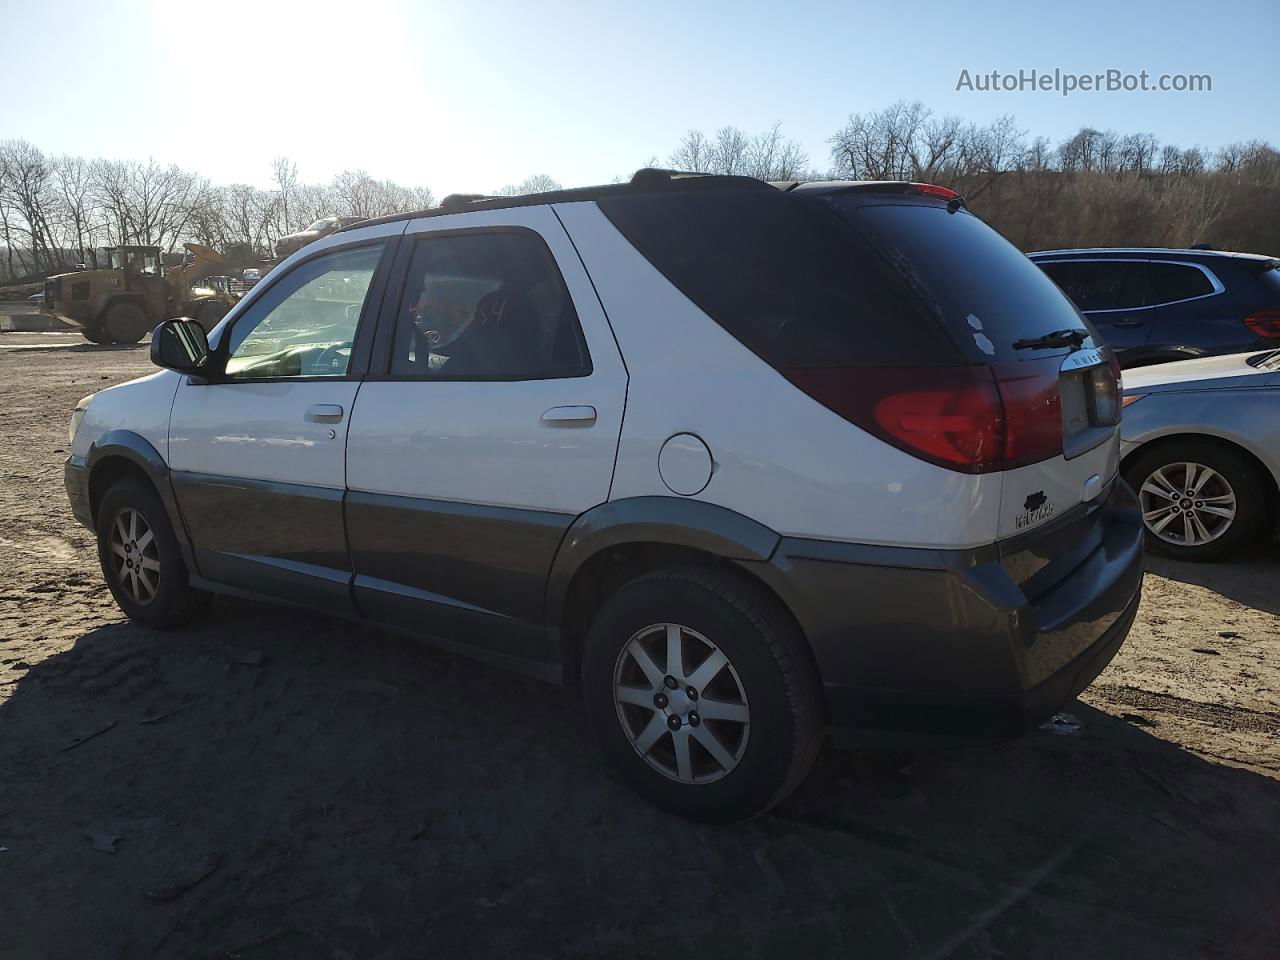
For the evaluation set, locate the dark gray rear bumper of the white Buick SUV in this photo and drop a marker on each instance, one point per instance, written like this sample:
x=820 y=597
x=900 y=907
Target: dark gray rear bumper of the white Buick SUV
x=962 y=646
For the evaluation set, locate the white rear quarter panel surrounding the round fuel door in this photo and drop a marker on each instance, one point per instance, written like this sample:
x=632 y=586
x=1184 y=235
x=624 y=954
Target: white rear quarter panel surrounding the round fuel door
x=780 y=458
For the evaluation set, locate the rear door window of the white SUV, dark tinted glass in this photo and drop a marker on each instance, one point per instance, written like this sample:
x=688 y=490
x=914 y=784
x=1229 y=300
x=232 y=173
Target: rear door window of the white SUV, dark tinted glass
x=487 y=307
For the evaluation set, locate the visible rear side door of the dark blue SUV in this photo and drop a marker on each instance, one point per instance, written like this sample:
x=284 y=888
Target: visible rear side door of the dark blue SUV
x=1113 y=295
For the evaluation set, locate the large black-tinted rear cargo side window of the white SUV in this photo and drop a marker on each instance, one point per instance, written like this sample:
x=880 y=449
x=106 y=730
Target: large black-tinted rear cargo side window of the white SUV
x=787 y=277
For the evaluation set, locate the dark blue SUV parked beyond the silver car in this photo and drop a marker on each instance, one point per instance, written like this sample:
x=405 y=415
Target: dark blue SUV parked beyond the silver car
x=1155 y=305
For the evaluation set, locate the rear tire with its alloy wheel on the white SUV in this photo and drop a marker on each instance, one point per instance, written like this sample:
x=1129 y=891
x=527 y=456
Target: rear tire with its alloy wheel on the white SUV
x=703 y=694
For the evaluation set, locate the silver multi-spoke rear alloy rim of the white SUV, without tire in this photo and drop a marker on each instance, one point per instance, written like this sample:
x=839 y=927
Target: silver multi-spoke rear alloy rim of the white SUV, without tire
x=689 y=717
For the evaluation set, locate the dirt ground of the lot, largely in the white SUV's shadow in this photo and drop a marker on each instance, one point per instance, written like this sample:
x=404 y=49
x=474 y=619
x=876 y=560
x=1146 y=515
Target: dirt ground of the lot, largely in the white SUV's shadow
x=269 y=784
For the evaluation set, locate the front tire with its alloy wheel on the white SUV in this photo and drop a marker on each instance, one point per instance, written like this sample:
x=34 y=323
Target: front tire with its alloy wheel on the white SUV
x=141 y=560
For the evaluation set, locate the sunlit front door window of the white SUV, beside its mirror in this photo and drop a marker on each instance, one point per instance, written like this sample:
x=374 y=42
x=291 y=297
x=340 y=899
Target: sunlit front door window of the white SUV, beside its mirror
x=305 y=324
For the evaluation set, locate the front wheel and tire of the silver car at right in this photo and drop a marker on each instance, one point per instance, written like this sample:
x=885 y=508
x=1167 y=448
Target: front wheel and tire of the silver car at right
x=1229 y=483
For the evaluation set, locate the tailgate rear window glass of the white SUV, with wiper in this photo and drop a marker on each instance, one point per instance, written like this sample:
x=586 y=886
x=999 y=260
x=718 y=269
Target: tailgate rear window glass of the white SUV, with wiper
x=985 y=291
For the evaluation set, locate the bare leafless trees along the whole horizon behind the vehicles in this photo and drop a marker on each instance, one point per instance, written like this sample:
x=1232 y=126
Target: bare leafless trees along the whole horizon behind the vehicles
x=1094 y=189
